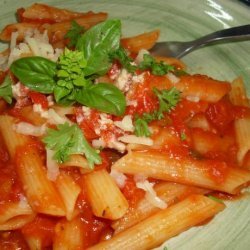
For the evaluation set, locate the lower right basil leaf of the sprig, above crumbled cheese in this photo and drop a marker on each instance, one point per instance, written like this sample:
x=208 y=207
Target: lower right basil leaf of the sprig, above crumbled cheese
x=104 y=97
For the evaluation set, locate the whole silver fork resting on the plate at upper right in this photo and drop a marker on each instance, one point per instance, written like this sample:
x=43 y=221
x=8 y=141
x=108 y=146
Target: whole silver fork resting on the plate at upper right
x=180 y=49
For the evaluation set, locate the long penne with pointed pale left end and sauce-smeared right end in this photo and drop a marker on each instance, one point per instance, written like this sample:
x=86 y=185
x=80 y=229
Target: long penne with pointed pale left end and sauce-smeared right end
x=201 y=173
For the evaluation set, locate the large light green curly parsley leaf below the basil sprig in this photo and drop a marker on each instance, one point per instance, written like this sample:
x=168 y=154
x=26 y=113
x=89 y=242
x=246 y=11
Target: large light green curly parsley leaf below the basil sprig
x=67 y=140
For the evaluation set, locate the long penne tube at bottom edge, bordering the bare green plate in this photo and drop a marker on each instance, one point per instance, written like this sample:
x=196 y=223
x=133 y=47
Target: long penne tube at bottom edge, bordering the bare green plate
x=163 y=225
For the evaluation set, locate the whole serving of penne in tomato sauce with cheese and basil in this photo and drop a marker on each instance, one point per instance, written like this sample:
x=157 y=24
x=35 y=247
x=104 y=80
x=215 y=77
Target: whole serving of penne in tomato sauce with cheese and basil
x=105 y=146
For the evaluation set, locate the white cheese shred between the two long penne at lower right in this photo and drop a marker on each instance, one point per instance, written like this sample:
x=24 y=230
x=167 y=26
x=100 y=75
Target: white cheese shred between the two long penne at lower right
x=151 y=195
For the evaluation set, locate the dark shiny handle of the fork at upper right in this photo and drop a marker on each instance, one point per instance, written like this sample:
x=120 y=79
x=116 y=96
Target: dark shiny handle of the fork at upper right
x=232 y=34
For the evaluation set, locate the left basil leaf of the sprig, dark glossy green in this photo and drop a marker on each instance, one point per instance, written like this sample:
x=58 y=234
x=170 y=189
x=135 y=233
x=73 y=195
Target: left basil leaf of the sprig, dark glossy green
x=37 y=73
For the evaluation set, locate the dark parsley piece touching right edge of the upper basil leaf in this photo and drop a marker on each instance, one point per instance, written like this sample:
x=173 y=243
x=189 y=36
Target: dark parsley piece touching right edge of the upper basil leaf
x=122 y=56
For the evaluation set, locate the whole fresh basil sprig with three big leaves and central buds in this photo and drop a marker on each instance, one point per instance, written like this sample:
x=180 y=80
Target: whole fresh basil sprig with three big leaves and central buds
x=71 y=79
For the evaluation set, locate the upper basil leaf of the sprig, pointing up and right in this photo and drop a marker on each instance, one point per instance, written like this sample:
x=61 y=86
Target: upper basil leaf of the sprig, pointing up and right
x=97 y=43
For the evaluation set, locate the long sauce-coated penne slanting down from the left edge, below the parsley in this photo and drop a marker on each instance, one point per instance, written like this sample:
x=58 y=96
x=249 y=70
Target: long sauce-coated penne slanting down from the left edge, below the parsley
x=31 y=171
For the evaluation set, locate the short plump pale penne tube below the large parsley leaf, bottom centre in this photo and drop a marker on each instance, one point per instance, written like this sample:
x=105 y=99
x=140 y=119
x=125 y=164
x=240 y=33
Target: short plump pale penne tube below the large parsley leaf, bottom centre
x=106 y=199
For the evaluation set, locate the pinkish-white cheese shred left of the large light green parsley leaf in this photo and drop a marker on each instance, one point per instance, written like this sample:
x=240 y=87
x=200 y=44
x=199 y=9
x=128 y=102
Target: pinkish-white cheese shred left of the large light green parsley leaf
x=29 y=129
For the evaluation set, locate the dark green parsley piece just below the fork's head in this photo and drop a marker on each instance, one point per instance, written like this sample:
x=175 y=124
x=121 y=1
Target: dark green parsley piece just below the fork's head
x=157 y=68
